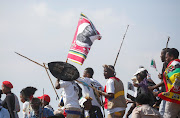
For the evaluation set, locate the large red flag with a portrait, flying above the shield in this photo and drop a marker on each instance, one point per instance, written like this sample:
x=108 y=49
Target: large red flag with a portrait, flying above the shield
x=84 y=37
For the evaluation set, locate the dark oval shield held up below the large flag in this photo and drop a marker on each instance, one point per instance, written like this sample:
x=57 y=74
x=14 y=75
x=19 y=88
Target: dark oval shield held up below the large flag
x=63 y=71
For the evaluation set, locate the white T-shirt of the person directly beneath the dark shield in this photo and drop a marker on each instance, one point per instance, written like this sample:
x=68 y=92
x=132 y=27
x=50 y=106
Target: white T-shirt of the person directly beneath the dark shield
x=71 y=91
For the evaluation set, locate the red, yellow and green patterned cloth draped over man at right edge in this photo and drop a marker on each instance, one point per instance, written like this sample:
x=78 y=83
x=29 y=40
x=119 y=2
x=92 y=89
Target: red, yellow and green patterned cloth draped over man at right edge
x=172 y=82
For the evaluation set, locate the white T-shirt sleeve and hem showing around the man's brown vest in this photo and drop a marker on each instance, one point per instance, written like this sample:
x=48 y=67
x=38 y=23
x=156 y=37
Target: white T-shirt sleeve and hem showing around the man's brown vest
x=110 y=89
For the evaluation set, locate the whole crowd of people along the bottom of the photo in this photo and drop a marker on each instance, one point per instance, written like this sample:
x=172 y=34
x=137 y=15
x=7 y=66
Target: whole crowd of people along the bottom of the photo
x=89 y=99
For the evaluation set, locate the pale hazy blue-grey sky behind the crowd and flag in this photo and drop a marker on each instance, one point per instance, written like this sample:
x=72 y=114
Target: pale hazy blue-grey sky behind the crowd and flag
x=44 y=30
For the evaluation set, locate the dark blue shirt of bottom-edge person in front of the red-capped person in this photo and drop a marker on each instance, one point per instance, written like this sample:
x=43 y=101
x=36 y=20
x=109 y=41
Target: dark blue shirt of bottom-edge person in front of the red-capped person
x=46 y=113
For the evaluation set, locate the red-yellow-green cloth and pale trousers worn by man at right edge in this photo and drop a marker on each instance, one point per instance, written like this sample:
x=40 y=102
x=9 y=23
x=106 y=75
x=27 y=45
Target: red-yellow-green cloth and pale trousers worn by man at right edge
x=171 y=79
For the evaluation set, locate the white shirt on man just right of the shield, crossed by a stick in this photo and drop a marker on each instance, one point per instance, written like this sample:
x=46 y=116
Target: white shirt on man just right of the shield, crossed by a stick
x=89 y=90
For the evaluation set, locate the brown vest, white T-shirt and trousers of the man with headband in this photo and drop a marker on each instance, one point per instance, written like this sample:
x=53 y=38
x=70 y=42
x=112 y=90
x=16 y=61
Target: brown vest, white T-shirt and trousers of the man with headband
x=115 y=106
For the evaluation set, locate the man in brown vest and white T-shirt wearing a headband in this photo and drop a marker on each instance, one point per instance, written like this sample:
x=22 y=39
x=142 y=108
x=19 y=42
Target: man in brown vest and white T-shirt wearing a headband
x=115 y=102
